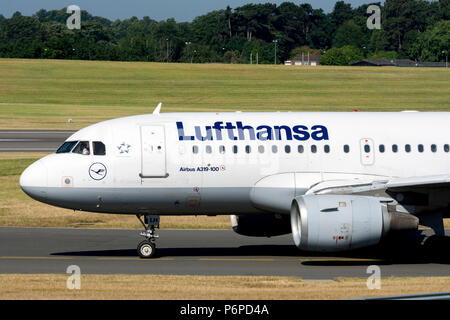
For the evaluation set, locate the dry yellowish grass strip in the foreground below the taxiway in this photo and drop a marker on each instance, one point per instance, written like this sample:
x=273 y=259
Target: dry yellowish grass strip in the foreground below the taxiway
x=41 y=286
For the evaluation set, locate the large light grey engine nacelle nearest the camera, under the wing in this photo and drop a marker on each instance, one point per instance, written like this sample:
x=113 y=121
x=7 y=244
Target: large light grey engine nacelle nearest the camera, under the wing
x=343 y=222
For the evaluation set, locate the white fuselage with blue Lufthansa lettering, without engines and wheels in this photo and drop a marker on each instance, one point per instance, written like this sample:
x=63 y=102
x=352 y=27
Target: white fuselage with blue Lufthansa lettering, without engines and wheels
x=223 y=163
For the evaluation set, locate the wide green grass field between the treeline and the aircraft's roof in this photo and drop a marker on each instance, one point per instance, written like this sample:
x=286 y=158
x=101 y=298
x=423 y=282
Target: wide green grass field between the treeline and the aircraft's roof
x=38 y=94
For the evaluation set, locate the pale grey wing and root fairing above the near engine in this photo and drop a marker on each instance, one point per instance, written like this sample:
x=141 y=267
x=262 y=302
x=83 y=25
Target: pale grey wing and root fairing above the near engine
x=274 y=193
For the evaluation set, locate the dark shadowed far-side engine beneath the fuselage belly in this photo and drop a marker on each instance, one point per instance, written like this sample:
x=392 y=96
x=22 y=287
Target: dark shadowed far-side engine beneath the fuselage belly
x=261 y=225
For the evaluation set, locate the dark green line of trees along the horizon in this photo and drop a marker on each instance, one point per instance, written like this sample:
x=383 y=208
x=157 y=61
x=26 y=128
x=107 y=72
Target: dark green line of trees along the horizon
x=414 y=29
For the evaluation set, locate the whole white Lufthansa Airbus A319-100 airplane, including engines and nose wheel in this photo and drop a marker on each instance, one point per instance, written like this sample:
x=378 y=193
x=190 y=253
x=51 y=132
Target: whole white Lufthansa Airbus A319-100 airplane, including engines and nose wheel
x=337 y=181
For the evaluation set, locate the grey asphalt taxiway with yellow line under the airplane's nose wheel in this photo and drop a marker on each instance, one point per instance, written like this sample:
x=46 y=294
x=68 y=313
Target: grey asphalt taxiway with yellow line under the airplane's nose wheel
x=201 y=252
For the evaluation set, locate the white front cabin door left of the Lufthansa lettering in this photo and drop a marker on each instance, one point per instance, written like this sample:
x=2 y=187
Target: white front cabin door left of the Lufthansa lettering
x=153 y=151
